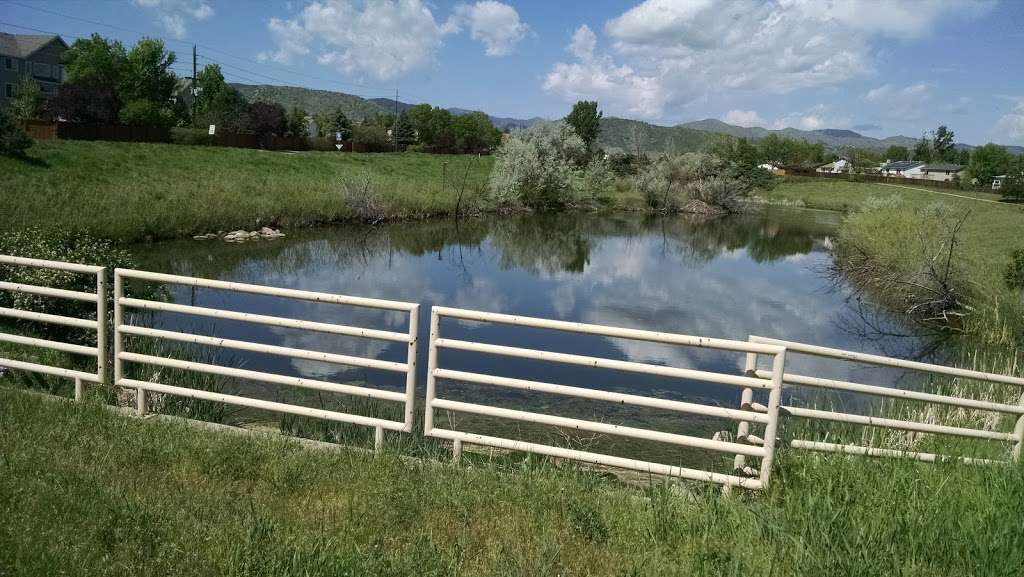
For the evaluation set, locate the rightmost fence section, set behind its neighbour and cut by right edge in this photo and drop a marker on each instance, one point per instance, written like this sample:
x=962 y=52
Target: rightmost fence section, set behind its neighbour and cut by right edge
x=920 y=425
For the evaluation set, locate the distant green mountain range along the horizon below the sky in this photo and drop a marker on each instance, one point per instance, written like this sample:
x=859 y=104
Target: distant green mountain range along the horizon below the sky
x=616 y=133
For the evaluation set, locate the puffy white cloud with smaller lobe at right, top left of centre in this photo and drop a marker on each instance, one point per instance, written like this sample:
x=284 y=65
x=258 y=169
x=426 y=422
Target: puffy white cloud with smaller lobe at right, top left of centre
x=387 y=39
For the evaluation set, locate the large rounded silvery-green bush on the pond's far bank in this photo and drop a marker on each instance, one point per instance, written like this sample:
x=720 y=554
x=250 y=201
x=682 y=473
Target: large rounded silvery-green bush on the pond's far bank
x=540 y=169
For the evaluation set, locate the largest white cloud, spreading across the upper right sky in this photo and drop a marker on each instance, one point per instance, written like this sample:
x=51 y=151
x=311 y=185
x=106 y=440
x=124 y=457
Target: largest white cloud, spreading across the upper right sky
x=701 y=48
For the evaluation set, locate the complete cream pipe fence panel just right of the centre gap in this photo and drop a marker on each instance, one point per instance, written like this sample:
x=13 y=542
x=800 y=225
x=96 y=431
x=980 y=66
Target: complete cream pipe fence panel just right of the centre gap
x=765 y=451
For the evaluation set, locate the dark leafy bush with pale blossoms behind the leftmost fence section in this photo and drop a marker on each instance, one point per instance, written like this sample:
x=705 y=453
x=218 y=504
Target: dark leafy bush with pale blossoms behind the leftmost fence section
x=33 y=243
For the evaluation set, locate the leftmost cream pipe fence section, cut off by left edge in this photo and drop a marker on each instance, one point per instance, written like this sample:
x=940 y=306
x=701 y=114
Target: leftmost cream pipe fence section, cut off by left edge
x=97 y=327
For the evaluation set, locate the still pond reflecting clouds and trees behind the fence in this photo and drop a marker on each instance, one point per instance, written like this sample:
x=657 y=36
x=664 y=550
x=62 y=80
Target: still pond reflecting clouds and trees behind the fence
x=762 y=274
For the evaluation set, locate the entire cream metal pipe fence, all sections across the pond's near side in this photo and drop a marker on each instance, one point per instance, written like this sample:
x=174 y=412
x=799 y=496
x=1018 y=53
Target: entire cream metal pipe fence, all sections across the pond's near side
x=750 y=415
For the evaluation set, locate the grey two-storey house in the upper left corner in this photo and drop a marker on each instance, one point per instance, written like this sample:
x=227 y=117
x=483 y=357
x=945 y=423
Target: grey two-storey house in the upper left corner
x=39 y=58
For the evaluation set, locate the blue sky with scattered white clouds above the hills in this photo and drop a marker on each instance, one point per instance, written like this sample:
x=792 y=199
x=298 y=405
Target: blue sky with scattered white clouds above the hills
x=878 y=67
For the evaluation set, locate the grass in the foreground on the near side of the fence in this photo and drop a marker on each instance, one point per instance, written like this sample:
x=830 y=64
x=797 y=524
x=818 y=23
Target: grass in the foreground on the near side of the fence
x=83 y=491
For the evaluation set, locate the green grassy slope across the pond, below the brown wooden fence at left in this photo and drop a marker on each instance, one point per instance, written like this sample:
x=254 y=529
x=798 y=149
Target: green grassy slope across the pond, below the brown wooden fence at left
x=132 y=192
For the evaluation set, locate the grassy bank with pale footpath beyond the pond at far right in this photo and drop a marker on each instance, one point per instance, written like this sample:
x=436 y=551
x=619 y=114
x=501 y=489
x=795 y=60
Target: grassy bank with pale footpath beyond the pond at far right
x=992 y=232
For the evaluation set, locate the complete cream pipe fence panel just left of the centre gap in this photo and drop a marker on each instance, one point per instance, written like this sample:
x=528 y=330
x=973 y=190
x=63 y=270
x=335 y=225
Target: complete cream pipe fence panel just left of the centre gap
x=123 y=329
